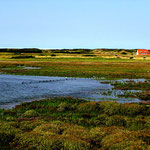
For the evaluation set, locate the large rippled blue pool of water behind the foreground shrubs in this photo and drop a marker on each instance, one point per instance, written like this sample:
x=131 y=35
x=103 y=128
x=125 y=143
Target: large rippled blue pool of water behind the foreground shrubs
x=15 y=89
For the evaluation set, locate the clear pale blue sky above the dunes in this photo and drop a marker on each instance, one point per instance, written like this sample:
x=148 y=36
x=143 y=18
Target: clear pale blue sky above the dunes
x=75 y=24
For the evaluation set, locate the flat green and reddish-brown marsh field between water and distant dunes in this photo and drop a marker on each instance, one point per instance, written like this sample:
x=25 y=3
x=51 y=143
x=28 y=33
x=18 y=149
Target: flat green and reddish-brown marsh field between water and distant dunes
x=78 y=67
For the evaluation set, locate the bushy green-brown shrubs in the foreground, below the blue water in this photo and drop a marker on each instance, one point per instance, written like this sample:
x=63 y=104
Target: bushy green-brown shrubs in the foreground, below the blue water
x=68 y=123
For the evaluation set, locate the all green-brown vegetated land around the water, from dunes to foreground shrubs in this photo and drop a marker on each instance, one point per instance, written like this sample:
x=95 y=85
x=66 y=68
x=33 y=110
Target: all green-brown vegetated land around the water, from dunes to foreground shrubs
x=65 y=123
